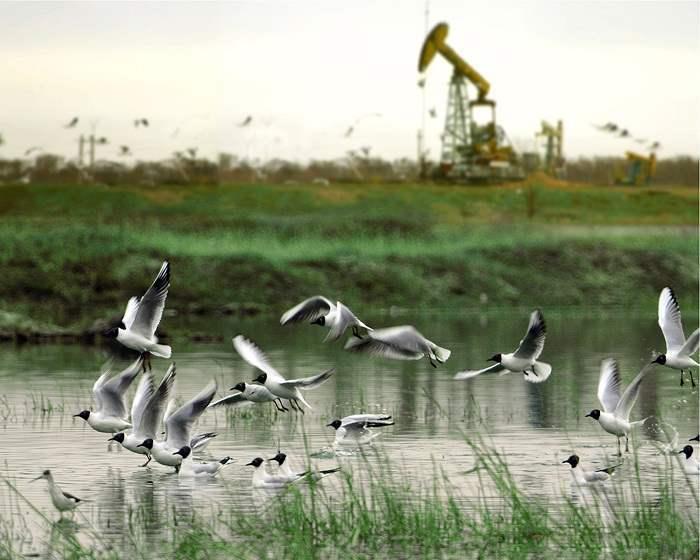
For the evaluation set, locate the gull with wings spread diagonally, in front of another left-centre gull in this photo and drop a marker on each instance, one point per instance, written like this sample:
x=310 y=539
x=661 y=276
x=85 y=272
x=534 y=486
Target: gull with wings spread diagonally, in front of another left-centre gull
x=287 y=389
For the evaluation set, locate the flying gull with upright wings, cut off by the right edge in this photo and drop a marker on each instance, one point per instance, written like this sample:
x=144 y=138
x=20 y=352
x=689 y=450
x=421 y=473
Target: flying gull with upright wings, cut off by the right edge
x=678 y=349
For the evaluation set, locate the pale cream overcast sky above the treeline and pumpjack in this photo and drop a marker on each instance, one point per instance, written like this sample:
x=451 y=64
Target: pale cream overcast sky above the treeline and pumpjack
x=307 y=71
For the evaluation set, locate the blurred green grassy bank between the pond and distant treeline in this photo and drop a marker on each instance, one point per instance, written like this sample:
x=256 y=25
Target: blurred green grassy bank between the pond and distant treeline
x=71 y=254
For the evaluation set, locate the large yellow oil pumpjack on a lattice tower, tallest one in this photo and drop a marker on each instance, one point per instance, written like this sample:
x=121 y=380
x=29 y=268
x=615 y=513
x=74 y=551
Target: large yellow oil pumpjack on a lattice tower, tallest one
x=472 y=151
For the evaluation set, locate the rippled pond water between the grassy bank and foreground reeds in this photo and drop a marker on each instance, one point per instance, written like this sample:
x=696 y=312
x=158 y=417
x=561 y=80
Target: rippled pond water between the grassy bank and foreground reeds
x=535 y=426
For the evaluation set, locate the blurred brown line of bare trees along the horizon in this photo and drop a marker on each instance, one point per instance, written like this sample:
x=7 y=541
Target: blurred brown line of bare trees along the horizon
x=356 y=167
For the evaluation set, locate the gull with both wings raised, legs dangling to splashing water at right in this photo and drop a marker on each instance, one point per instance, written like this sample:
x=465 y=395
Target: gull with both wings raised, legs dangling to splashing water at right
x=614 y=418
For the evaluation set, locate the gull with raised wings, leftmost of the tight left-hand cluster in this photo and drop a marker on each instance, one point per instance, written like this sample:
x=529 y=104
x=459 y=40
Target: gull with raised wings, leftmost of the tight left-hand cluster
x=108 y=392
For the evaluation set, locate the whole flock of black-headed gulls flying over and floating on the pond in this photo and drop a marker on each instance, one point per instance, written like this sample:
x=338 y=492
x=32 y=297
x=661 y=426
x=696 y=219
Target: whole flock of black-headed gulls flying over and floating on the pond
x=153 y=405
